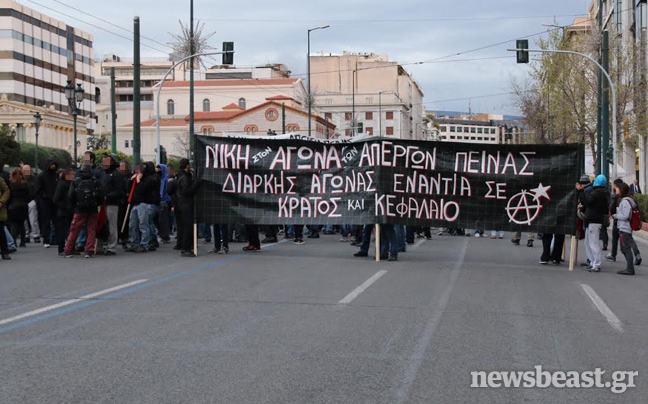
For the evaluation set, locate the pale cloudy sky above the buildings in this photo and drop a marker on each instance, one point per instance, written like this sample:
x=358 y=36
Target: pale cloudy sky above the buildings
x=408 y=30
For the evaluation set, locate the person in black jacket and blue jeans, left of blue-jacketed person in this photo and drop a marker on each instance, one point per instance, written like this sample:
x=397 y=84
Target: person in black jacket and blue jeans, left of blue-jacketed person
x=144 y=196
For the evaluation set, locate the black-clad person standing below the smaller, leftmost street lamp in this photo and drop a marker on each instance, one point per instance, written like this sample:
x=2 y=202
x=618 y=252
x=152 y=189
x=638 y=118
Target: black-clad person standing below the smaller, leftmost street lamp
x=45 y=188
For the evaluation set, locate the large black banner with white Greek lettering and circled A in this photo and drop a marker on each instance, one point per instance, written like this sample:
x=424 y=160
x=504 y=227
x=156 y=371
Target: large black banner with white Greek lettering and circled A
x=294 y=181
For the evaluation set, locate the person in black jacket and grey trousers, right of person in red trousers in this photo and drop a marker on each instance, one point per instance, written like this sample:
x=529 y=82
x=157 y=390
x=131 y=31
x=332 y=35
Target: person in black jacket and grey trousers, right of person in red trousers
x=113 y=188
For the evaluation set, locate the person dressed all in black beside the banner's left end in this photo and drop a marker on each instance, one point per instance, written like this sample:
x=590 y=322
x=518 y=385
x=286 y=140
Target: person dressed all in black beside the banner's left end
x=185 y=191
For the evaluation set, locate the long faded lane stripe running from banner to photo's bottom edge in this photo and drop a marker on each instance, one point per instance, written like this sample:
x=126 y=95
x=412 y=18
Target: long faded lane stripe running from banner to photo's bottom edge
x=416 y=360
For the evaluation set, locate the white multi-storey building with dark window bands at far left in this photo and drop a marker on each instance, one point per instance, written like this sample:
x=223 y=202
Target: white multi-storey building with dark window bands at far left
x=38 y=56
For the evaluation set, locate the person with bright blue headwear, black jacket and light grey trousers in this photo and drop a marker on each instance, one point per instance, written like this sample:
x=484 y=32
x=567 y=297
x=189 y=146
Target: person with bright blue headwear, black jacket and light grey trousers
x=595 y=208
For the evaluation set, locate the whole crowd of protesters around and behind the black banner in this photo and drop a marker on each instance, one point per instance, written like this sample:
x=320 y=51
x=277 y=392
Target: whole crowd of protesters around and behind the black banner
x=92 y=209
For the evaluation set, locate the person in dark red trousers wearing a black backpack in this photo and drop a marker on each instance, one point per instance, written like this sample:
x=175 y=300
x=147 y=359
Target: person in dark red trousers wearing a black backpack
x=86 y=196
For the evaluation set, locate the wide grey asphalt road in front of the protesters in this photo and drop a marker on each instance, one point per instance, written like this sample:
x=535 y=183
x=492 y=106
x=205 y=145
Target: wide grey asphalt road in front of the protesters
x=312 y=324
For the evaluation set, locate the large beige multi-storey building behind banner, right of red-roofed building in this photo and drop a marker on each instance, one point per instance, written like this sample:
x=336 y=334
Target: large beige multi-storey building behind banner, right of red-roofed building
x=367 y=93
